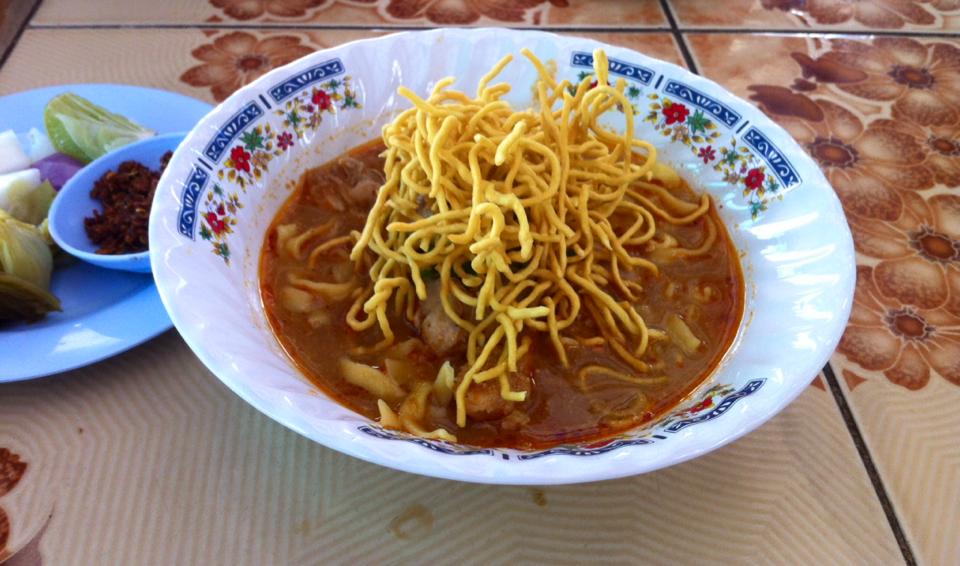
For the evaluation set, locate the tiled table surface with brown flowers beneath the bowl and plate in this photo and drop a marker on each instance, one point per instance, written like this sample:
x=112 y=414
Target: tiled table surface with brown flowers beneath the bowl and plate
x=146 y=458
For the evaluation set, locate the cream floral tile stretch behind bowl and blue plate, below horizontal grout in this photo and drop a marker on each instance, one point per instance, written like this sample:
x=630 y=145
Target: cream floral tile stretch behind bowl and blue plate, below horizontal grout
x=211 y=64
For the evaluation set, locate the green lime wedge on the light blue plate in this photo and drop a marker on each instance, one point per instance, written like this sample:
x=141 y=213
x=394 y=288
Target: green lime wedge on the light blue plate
x=85 y=131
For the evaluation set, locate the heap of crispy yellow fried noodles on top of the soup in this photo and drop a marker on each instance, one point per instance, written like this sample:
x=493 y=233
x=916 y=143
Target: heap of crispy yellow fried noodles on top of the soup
x=531 y=218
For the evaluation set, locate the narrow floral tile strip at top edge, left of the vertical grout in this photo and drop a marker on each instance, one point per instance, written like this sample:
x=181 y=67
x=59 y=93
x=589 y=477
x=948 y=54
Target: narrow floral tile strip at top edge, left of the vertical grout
x=376 y=13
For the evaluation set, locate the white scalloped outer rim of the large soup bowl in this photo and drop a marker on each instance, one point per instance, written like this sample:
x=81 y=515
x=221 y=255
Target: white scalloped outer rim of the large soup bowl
x=550 y=469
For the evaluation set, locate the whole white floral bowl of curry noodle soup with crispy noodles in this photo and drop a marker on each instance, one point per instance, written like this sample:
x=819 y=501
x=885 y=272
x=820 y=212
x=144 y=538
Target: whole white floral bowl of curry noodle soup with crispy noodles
x=521 y=258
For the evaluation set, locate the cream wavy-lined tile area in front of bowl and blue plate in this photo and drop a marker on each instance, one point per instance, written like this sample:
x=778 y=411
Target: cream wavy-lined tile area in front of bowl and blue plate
x=230 y=486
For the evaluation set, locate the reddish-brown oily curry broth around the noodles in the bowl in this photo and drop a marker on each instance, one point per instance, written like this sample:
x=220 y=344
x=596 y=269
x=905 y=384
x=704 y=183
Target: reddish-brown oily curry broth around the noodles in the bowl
x=559 y=410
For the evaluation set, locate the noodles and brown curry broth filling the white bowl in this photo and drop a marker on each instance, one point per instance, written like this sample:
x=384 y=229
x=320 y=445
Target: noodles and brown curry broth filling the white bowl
x=498 y=239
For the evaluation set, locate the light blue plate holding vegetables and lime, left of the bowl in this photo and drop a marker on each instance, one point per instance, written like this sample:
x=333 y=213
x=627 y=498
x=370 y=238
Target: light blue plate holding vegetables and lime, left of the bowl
x=105 y=311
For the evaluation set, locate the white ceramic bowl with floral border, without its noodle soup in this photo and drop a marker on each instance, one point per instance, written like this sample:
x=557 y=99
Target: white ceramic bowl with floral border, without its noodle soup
x=231 y=174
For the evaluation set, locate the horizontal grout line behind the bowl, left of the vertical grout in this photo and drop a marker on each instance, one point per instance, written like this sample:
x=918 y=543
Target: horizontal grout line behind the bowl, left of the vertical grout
x=357 y=27
